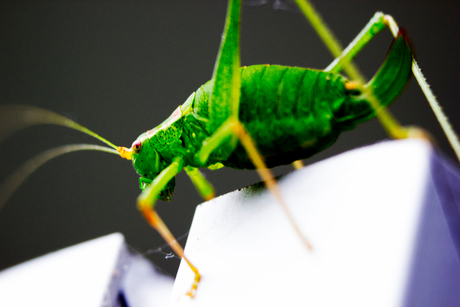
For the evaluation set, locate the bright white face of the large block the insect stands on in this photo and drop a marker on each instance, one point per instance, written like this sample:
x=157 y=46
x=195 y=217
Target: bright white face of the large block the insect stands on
x=361 y=225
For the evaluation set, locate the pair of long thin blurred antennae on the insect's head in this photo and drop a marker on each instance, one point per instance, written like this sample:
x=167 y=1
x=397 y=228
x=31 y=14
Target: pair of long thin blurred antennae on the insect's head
x=14 y=118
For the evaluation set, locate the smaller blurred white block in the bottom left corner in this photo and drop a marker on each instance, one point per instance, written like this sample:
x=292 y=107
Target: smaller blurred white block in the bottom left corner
x=75 y=276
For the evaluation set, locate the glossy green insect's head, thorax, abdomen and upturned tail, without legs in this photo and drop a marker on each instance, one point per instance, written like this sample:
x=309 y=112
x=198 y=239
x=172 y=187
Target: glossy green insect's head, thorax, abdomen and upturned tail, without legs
x=291 y=113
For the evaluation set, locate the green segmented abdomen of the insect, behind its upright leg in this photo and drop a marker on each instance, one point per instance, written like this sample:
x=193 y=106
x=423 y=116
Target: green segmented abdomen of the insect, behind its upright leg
x=287 y=112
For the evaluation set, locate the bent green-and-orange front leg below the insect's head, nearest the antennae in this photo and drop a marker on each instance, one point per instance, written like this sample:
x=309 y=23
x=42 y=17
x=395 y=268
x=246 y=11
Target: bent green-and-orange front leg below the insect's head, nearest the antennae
x=146 y=202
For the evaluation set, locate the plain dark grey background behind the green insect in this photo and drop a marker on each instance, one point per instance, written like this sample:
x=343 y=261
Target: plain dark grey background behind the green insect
x=121 y=67
